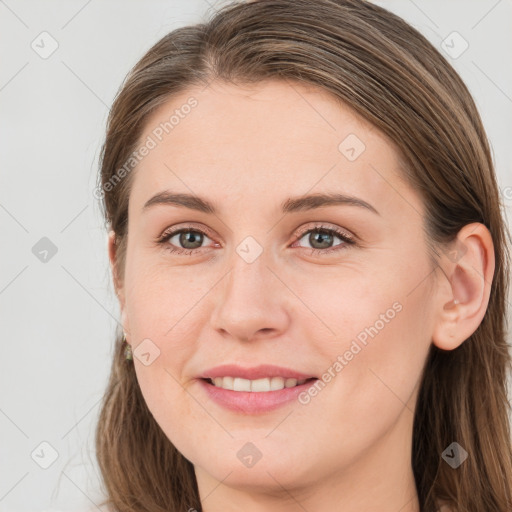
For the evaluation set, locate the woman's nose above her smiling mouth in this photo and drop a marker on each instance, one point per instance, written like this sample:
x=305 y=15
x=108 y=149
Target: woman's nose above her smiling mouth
x=250 y=302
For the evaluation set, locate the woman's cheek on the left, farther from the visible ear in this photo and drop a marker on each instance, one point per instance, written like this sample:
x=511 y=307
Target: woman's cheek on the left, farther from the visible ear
x=163 y=305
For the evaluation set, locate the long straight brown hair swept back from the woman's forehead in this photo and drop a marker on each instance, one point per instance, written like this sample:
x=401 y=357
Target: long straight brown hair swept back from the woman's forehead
x=372 y=60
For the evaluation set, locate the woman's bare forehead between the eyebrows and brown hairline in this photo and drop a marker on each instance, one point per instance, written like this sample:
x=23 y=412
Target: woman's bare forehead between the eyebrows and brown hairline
x=264 y=142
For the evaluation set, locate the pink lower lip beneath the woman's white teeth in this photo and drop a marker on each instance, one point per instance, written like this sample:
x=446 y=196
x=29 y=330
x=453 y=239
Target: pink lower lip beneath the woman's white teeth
x=253 y=402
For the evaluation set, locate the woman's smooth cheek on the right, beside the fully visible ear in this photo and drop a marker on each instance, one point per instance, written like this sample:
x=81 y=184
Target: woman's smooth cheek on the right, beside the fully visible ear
x=383 y=332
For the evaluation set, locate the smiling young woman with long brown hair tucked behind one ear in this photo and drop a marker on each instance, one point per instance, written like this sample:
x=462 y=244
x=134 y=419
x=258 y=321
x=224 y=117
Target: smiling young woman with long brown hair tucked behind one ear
x=311 y=264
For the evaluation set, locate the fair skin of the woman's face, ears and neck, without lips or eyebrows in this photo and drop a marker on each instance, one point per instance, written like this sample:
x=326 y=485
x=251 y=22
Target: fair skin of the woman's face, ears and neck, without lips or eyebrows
x=247 y=149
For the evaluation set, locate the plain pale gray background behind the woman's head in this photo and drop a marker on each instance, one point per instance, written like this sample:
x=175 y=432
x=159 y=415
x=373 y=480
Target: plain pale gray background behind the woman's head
x=58 y=317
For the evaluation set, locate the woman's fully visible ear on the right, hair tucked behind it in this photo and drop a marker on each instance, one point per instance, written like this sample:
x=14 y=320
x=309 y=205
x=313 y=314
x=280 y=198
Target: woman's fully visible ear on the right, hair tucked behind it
x=468 y=265
